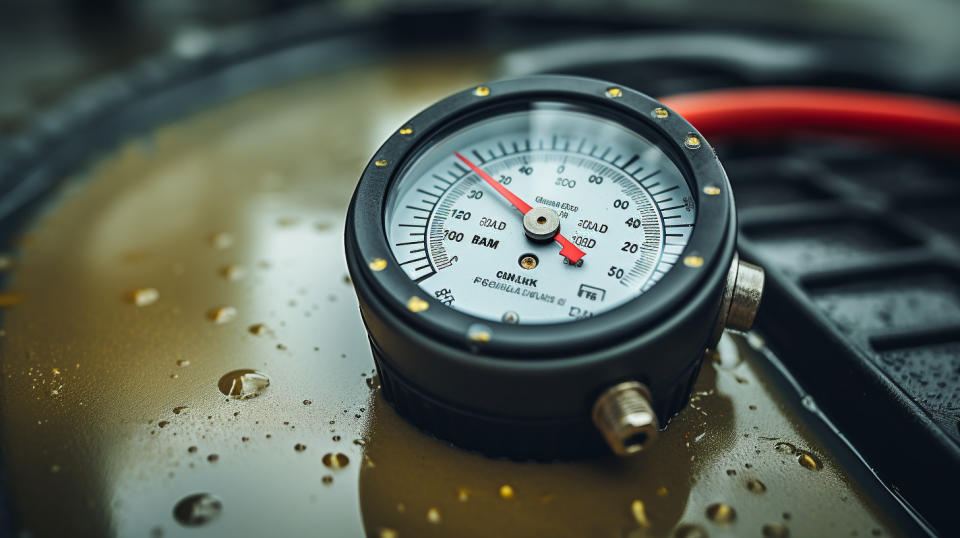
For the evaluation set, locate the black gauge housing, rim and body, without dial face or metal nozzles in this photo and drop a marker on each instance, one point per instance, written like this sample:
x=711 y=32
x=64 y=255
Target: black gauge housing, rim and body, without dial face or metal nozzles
x=527 y=390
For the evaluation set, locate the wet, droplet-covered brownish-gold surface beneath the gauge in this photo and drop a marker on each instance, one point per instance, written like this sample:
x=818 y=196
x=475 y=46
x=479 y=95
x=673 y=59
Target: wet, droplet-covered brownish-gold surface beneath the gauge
x=212 y=247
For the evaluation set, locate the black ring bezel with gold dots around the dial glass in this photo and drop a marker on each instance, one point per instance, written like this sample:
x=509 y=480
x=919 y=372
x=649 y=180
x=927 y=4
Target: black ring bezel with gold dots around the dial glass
x=700 y=168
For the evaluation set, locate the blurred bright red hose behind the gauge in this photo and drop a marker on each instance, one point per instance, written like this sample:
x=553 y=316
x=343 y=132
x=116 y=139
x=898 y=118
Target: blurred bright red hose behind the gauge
x=774 y=112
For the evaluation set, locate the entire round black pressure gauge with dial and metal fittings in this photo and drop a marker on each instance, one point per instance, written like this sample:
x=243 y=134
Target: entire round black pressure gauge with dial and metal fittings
x=541 y=264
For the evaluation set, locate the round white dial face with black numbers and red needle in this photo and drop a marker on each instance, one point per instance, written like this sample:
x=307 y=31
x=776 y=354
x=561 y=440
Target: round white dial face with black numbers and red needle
x=455 y=218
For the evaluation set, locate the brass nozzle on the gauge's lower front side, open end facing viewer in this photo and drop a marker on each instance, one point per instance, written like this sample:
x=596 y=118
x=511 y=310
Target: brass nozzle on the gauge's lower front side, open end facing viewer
x=625 y=417
